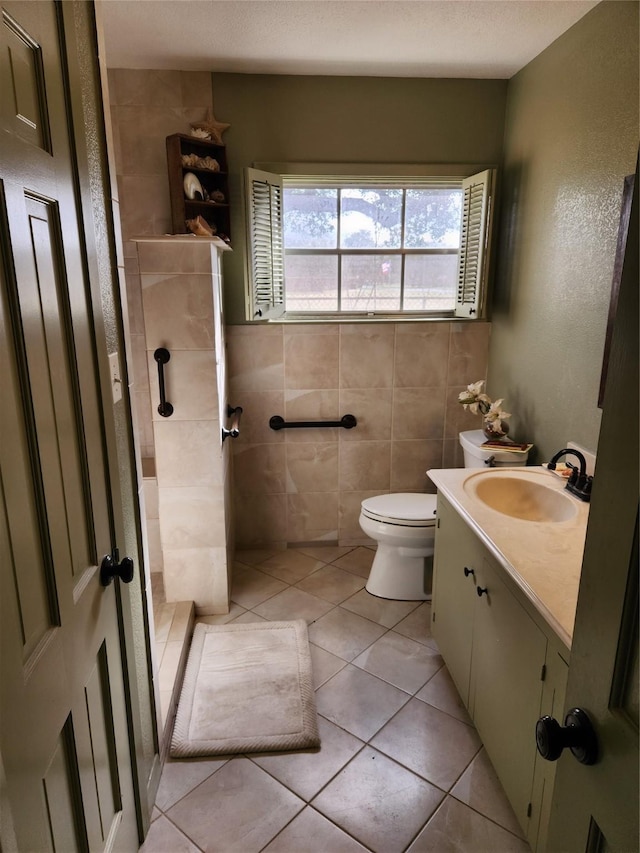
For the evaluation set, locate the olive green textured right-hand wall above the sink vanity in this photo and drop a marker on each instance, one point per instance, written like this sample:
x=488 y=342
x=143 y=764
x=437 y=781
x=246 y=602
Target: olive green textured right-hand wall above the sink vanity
x=571 y=135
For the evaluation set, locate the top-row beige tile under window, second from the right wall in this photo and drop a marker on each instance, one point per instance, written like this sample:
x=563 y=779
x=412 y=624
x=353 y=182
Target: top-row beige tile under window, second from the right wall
x=421 y=356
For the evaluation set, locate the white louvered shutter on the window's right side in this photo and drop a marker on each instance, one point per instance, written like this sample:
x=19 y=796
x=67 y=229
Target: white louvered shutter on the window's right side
x=477 y=213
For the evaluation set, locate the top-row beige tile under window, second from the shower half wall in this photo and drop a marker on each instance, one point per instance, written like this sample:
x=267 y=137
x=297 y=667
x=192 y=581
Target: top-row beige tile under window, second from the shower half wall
x=311 y=361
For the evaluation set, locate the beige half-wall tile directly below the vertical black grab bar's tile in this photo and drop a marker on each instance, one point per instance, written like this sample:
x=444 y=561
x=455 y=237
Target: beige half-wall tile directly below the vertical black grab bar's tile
x=187 y=453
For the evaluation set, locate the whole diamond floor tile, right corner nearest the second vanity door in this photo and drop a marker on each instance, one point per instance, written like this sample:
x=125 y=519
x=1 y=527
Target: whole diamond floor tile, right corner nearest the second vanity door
x=429 y=742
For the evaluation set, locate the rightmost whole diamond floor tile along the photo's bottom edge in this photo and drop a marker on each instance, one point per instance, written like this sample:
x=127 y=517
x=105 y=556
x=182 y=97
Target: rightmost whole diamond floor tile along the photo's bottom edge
x=378 y=802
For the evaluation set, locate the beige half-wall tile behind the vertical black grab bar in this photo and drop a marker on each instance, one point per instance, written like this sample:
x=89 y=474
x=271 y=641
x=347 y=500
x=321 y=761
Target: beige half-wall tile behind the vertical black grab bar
x=190 y=385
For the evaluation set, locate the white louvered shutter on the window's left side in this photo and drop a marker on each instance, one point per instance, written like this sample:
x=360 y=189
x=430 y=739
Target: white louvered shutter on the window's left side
x=265 y=256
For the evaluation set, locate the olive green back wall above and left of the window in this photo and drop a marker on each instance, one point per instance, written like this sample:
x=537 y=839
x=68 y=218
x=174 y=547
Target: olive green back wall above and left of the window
x=349 y=119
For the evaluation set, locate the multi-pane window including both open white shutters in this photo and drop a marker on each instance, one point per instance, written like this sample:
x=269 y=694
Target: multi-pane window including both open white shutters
x=361 y=247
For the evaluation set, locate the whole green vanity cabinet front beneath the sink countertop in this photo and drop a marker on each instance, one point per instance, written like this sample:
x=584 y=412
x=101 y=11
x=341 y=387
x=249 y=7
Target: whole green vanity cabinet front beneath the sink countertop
x=505 y=660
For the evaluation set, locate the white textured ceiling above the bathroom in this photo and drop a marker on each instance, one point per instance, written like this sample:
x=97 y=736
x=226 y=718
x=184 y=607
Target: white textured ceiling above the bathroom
x=422 y=38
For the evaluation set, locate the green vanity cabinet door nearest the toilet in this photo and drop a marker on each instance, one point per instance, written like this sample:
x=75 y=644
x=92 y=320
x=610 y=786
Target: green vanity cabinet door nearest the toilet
x=456 y=550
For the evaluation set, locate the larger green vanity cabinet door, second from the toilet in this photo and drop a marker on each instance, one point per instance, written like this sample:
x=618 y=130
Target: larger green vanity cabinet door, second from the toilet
x=509 y=652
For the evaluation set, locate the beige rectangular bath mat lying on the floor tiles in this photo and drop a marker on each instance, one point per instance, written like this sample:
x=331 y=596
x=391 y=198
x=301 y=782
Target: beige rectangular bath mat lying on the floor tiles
x=247 y=688
